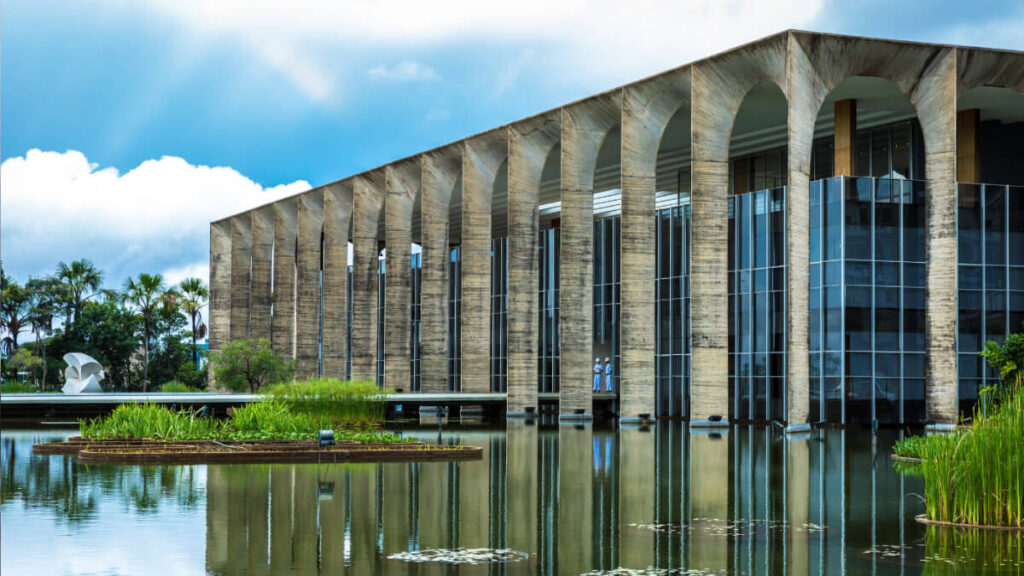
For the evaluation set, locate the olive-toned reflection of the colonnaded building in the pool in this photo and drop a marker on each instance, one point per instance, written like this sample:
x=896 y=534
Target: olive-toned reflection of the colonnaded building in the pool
x=579 y=500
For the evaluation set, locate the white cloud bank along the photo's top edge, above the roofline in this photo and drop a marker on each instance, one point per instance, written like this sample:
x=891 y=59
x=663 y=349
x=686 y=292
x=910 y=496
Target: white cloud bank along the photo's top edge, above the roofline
x=581 y=42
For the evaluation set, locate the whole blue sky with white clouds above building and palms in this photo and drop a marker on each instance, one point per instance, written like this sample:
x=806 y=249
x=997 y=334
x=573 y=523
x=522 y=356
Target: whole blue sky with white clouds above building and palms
x=153 y=118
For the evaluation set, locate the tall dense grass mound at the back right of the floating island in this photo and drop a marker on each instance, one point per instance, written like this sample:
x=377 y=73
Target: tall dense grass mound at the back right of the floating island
x=335 y=403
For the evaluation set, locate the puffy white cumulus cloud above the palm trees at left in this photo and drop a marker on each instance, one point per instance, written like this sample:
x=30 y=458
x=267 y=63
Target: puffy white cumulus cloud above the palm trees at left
x=155 y=218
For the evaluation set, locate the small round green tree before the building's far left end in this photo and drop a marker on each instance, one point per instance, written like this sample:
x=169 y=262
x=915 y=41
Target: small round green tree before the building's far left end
x=240 y=365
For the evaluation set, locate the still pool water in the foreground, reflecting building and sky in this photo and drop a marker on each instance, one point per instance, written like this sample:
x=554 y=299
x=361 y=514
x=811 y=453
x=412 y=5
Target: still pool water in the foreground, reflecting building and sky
x=549 y=501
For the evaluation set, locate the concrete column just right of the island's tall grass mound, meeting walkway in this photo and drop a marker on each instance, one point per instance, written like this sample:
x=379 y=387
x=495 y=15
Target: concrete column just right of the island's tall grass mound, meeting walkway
x=403 y=184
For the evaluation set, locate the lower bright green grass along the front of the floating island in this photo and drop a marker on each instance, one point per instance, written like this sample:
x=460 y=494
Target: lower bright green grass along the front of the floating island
x=268 y=420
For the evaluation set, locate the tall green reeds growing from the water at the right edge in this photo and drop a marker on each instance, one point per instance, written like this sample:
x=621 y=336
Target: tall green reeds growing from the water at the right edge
x=976 y=475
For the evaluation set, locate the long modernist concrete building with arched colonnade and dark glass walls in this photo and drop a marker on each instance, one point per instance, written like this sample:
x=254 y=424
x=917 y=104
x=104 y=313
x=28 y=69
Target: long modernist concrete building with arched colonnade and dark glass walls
x=806 y=228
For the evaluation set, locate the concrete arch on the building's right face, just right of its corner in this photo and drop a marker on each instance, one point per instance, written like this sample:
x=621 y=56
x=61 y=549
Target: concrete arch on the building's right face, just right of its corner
x=927 y=75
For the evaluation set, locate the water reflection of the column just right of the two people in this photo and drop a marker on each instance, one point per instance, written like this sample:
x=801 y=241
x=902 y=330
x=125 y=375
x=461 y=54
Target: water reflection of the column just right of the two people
x=636 y=502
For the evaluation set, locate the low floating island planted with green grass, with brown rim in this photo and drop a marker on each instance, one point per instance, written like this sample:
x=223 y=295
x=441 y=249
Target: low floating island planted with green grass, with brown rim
x=284 y=427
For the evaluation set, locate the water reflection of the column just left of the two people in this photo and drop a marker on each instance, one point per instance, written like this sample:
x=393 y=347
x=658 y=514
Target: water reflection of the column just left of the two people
x=576 y=496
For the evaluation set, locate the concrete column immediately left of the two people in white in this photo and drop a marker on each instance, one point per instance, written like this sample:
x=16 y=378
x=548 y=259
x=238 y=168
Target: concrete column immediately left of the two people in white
x=584 y=129
